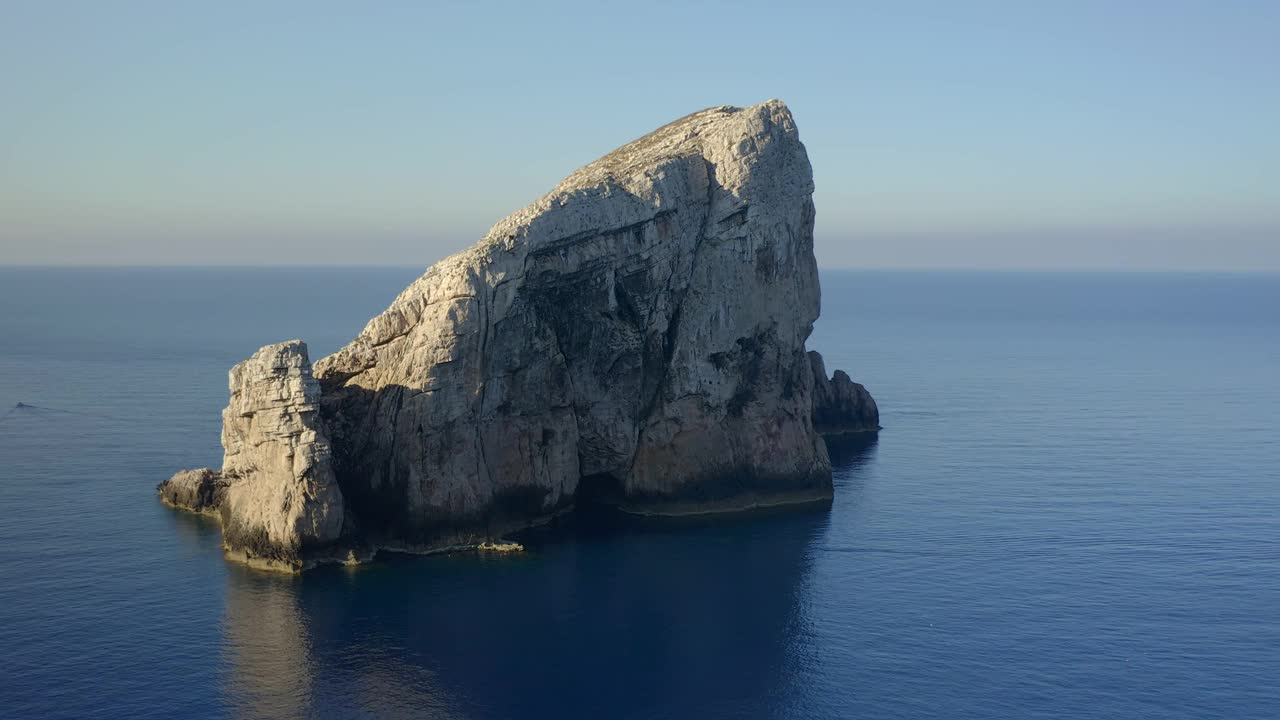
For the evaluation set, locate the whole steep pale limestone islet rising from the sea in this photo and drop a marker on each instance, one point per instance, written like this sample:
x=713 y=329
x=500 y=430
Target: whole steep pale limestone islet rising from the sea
x=636 y=338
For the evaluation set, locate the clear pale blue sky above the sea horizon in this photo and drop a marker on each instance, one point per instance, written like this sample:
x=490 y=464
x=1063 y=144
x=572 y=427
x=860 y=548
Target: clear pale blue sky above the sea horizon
x=1128 y=135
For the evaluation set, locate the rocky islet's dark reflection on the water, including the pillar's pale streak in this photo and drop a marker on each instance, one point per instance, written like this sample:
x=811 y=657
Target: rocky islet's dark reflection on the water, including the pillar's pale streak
x=596 y=619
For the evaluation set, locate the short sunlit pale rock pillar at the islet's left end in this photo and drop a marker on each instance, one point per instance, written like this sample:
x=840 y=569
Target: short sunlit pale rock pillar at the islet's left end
x=282 y=503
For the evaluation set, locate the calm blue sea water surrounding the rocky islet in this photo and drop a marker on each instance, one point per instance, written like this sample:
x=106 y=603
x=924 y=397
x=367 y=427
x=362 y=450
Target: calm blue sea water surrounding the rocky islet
x=1073 y=512
